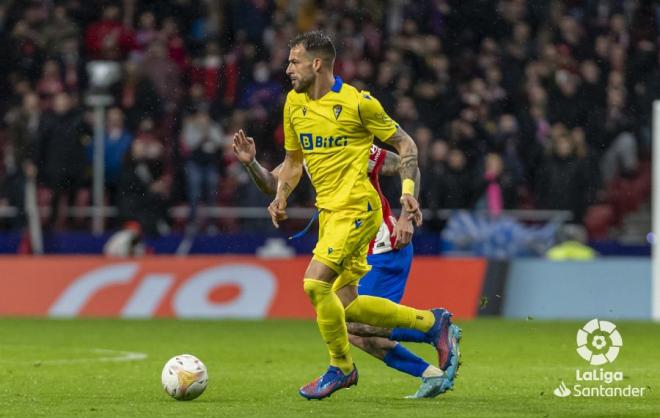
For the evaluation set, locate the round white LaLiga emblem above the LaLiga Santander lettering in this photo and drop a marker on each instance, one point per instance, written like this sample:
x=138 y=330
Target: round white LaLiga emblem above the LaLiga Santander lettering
x=599 y=342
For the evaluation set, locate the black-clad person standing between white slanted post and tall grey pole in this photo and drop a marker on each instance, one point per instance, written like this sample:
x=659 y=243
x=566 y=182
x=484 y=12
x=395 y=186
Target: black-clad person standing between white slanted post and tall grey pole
x=60 y=152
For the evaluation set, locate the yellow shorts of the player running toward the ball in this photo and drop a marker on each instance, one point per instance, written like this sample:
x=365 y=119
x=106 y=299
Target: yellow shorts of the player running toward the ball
x=343 y=243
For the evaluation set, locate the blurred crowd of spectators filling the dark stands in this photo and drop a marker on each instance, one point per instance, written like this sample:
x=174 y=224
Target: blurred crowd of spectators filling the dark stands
x=512 y=103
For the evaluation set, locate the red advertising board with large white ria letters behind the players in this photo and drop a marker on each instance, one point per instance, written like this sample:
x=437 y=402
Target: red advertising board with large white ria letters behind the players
x=205 y=287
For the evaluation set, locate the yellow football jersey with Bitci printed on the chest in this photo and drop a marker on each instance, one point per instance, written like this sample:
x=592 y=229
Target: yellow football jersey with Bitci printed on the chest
x=335 y=134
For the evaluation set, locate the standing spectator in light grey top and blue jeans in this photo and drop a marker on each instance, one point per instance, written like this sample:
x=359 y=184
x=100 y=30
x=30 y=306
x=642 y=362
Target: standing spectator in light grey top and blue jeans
x=201 y=140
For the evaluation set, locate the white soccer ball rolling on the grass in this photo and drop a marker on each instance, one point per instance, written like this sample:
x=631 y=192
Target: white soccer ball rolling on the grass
x=184 y=377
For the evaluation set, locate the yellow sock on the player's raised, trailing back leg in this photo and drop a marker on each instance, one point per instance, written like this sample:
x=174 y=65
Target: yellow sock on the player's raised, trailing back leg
x=381 y=312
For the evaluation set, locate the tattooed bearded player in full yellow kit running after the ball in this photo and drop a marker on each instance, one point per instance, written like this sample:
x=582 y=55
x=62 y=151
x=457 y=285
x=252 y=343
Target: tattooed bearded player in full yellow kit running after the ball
x=329 y=127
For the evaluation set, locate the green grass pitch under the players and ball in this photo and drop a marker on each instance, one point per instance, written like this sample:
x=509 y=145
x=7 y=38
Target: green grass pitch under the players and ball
x=51 y=368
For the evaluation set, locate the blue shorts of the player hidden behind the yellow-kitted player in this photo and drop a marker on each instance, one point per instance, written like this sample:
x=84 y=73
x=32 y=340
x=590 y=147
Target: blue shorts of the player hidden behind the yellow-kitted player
x=389 y=274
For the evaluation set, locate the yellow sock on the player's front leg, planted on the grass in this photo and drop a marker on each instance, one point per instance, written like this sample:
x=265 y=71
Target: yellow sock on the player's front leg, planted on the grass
x=331 y=320
